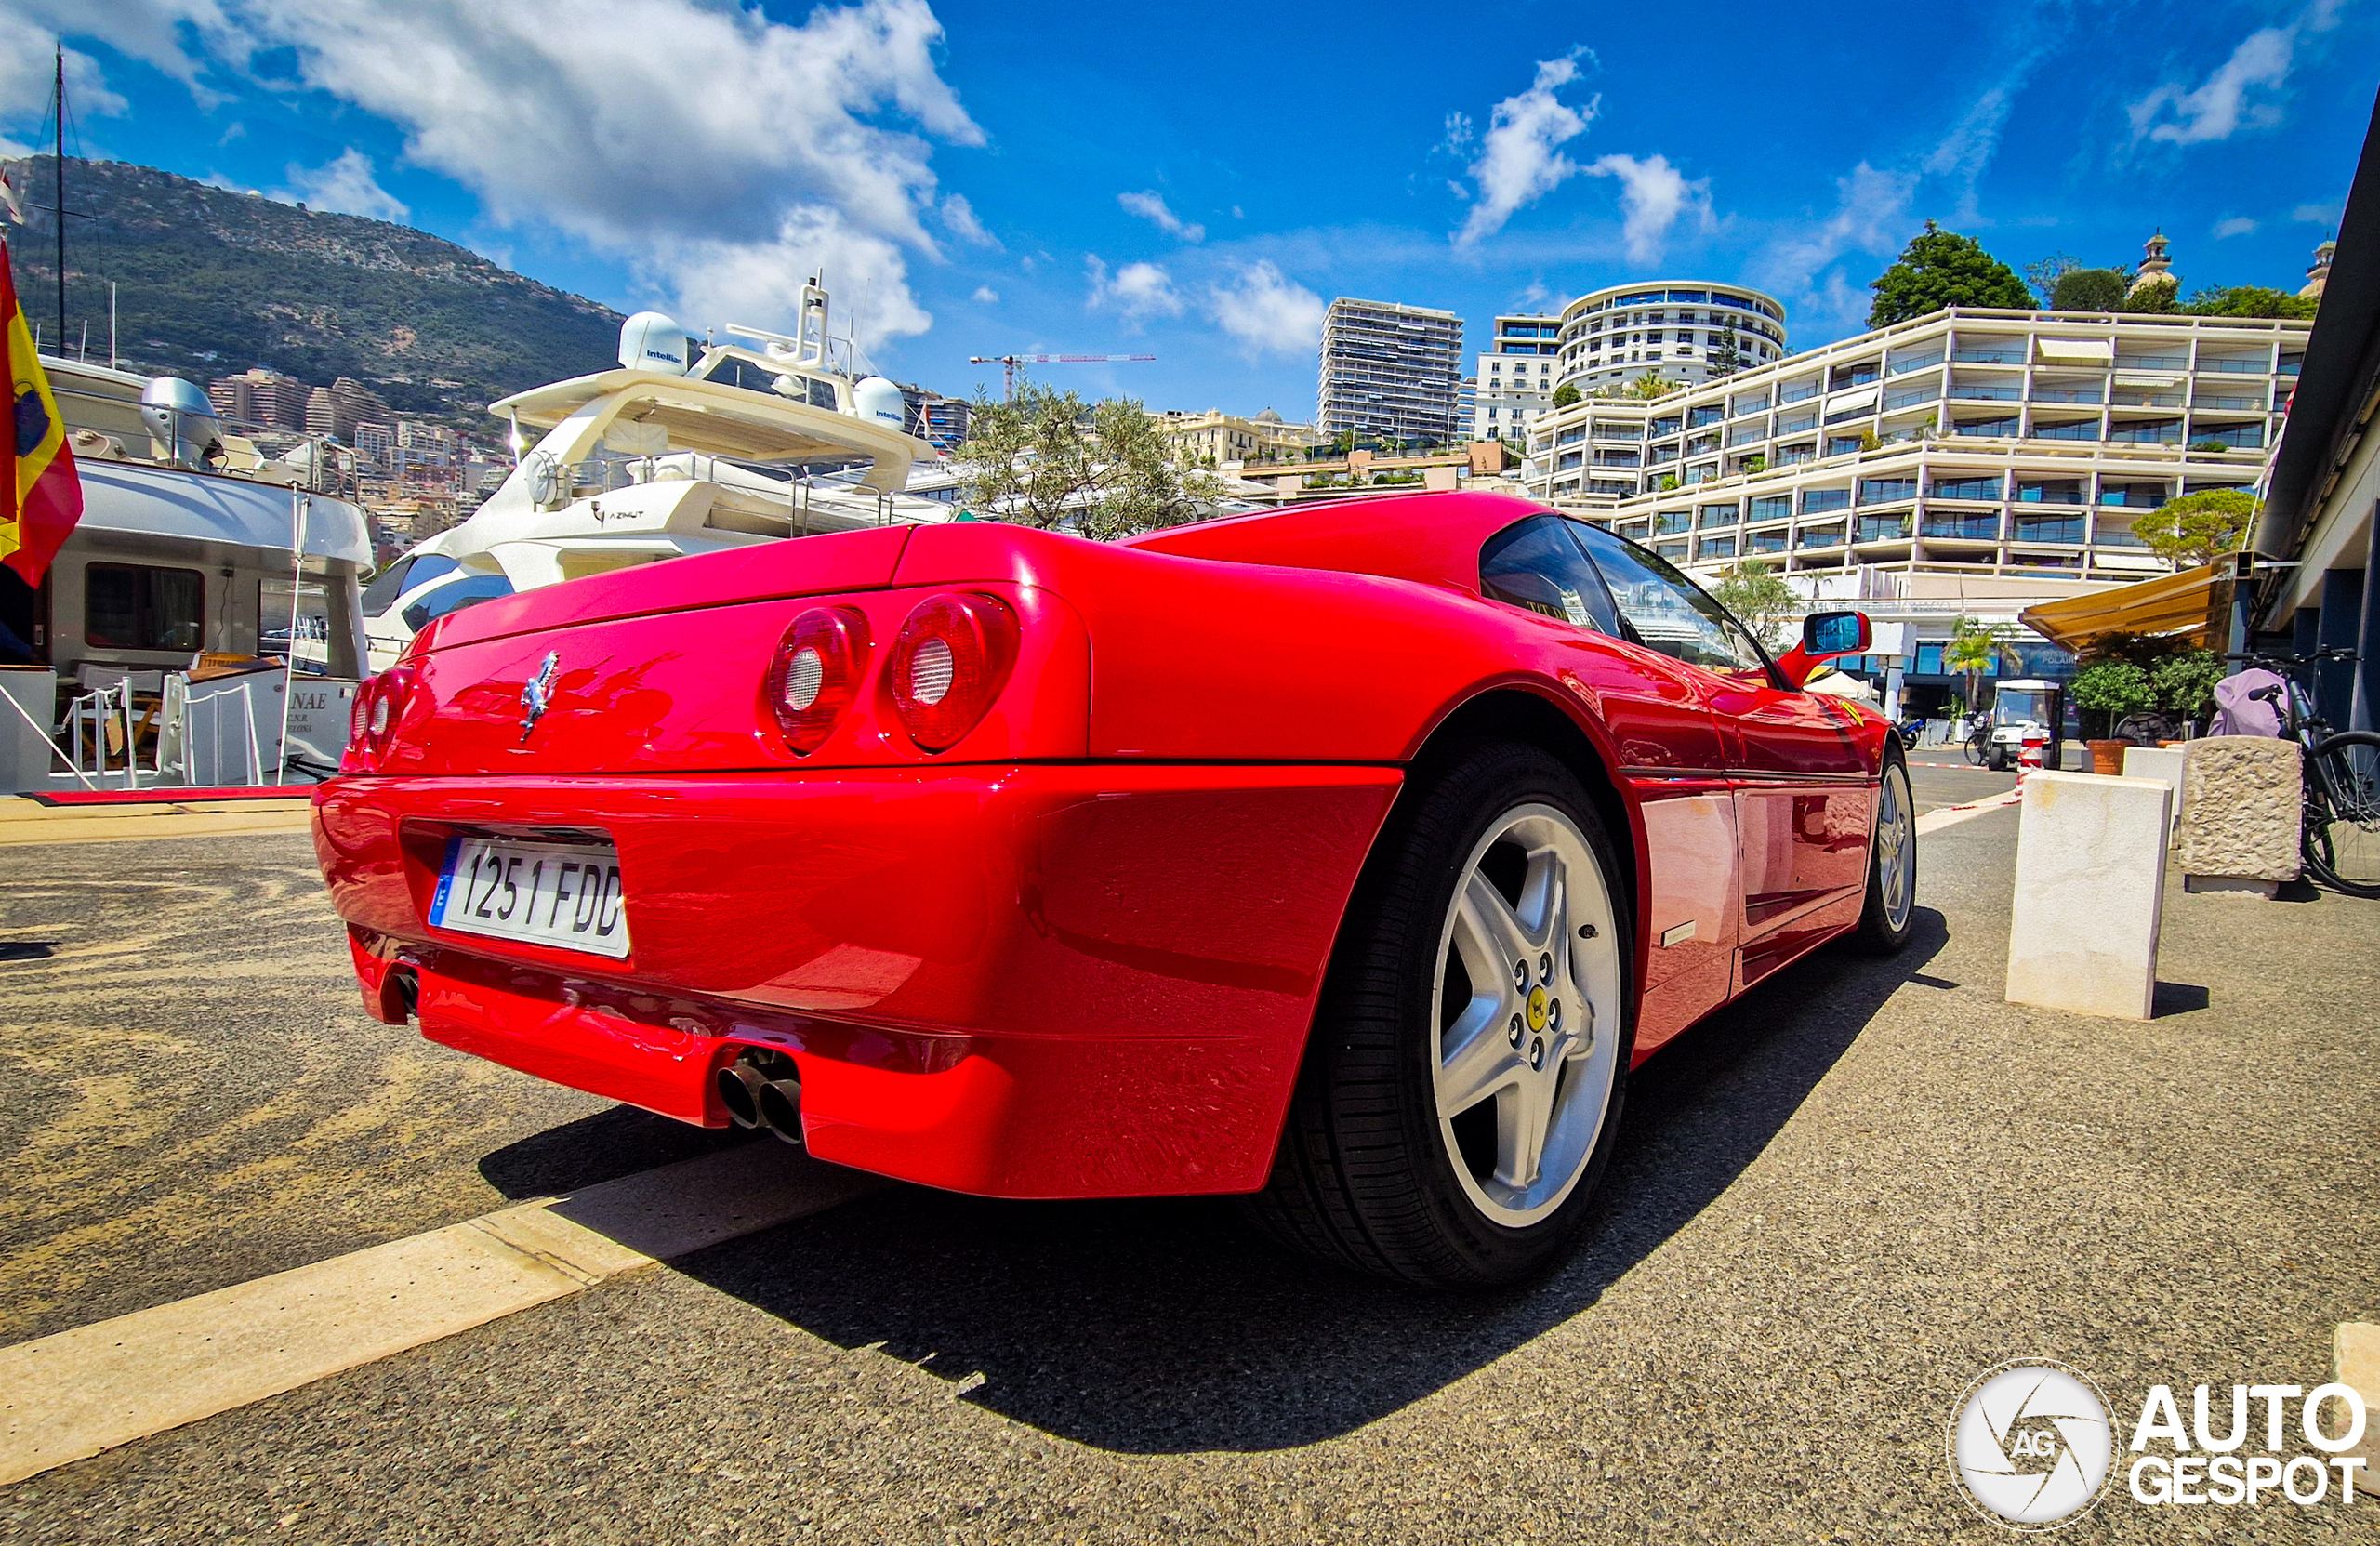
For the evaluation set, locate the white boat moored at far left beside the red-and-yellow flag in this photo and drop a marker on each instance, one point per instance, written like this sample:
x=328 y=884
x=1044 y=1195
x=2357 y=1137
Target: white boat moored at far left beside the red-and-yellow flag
x=199 y=553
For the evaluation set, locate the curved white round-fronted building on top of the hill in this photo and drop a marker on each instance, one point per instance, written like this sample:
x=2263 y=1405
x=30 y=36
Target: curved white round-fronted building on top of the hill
x=1681 y=329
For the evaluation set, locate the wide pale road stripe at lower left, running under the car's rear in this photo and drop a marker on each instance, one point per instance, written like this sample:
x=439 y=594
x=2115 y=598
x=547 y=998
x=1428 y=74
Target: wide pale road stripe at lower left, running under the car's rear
x=118 y=1381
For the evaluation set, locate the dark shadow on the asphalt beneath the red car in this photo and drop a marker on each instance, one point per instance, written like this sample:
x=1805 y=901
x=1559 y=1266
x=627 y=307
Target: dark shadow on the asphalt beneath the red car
x=1167 y=1326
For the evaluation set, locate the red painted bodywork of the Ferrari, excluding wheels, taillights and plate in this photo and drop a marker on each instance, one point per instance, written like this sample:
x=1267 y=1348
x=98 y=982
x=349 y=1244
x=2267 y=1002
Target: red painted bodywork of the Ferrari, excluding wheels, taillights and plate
x=1077 y=953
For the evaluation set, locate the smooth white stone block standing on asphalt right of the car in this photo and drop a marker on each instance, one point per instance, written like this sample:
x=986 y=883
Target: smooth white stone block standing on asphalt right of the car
x=2091 y=893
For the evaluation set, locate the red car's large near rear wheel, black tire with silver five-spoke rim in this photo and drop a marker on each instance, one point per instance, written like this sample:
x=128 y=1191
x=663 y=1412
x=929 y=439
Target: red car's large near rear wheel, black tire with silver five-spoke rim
x=1467 y=1067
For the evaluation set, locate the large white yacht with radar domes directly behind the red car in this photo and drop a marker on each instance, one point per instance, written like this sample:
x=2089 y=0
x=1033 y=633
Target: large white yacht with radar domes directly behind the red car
x=756 y=441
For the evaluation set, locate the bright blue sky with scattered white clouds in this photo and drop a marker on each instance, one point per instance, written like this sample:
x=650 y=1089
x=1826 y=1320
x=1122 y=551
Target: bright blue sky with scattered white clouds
x=1196 y=182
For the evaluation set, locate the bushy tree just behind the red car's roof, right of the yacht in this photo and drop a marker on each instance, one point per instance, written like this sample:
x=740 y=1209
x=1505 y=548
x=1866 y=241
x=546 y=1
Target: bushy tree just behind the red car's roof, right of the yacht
x=1106 y=472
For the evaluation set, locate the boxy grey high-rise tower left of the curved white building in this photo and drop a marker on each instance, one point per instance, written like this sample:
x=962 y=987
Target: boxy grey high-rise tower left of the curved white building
x=1391 y=372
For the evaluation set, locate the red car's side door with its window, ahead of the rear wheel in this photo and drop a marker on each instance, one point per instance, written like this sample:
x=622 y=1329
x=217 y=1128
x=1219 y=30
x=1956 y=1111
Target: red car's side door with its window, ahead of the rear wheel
x=1803 y=798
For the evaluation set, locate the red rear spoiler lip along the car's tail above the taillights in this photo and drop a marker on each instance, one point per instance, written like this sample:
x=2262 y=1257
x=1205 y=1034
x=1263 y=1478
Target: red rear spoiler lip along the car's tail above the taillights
x=765 y=572
